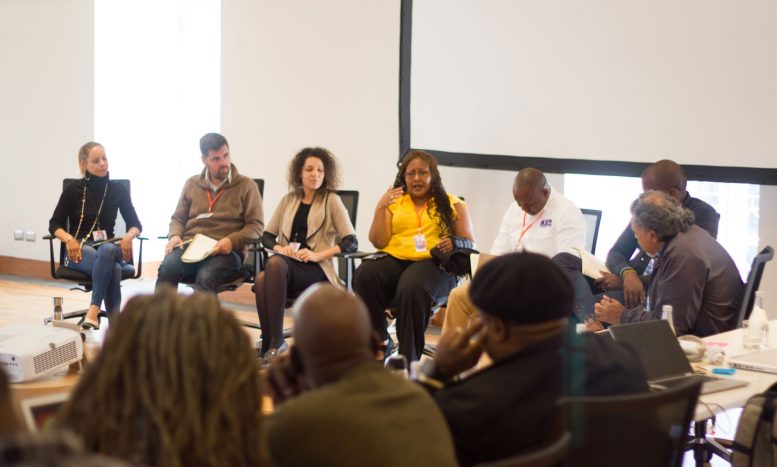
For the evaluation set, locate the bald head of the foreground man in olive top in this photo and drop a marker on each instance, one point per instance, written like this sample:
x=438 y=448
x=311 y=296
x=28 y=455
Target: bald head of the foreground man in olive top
x=332 y=332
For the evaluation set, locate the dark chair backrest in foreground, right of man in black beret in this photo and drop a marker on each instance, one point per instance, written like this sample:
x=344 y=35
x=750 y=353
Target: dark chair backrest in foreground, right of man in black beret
x=645 y=429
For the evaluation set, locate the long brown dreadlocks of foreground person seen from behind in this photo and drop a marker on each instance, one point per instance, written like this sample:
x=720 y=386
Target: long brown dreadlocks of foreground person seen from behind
x=175 y=384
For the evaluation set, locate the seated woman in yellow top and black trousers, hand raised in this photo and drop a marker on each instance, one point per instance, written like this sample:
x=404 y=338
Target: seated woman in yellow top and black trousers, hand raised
x=410 y=219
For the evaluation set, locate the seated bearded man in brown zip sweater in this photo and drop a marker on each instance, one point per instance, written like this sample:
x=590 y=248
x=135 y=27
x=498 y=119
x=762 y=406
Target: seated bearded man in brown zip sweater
x=219 y=203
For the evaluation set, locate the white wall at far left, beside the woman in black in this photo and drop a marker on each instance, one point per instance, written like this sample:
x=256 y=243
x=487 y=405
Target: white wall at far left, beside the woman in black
x=46 y=89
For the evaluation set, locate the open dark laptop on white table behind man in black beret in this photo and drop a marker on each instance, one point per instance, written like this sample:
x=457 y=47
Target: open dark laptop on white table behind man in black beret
x=664 y=360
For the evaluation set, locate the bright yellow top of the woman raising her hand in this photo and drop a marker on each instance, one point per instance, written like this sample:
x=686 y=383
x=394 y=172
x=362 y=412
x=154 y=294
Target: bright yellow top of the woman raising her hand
x=404 y=227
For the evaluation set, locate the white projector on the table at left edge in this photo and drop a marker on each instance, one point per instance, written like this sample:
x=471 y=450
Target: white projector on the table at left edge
x=29 y=351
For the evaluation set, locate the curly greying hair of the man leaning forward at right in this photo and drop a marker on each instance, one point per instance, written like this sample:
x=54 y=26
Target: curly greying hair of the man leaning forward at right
x=657 y=211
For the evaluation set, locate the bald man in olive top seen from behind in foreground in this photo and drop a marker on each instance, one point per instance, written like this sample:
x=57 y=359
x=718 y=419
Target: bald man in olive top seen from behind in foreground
x=336 y=406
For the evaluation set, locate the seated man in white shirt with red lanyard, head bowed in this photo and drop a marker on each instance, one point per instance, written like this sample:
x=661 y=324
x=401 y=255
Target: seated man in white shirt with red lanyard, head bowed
x=540 y=221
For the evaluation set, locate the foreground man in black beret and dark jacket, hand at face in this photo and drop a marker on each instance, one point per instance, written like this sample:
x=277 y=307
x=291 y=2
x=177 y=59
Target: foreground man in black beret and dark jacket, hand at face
x=525 y=301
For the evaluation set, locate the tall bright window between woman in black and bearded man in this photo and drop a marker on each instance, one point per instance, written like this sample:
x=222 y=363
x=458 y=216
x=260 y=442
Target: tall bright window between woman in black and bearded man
x=157 y=91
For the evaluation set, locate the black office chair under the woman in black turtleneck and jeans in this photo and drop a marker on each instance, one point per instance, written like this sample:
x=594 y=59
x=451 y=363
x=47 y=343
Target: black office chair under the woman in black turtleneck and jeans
x=83 y=281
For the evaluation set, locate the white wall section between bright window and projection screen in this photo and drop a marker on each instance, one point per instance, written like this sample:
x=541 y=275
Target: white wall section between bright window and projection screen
x=310 y=73
